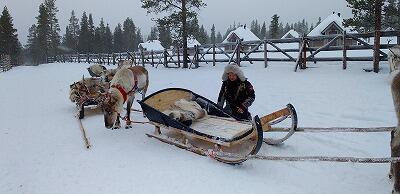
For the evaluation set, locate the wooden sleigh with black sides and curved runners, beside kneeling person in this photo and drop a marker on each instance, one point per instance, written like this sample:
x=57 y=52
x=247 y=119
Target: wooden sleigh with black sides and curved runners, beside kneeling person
x=219 y=135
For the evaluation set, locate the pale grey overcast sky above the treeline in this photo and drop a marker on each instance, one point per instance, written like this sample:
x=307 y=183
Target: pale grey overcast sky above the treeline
x=222 y=13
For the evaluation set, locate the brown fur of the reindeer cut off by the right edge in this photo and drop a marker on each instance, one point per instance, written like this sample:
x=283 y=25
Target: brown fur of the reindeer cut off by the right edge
x=395 y=141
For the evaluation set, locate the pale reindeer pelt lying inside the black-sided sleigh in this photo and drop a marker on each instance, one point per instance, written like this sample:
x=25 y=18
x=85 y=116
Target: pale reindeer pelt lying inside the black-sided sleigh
x=184 y=110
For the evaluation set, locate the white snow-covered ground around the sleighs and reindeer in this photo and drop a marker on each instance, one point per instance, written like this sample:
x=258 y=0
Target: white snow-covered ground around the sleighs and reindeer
x=42 y=151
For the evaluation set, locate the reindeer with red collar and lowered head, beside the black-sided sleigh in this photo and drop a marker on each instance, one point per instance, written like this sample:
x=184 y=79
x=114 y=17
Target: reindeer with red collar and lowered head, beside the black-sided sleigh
x=123 y=87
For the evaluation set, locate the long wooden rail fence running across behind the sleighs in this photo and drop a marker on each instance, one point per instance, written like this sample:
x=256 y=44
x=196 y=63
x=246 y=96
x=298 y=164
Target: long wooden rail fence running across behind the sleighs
x=307 y=48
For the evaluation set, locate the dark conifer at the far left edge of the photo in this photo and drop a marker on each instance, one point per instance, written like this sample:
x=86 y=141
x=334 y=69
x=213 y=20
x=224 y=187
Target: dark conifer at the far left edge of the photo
x=9 y=43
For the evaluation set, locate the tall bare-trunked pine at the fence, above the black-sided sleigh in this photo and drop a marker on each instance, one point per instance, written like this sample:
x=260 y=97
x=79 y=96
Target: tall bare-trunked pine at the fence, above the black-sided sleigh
x=180 y=13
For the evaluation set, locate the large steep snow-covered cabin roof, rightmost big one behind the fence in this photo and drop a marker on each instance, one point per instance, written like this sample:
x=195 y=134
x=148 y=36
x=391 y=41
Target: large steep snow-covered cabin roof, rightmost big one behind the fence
x=332 y=19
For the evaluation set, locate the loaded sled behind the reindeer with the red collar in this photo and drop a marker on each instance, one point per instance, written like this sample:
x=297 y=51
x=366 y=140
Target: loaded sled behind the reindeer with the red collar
x=87 y=92
